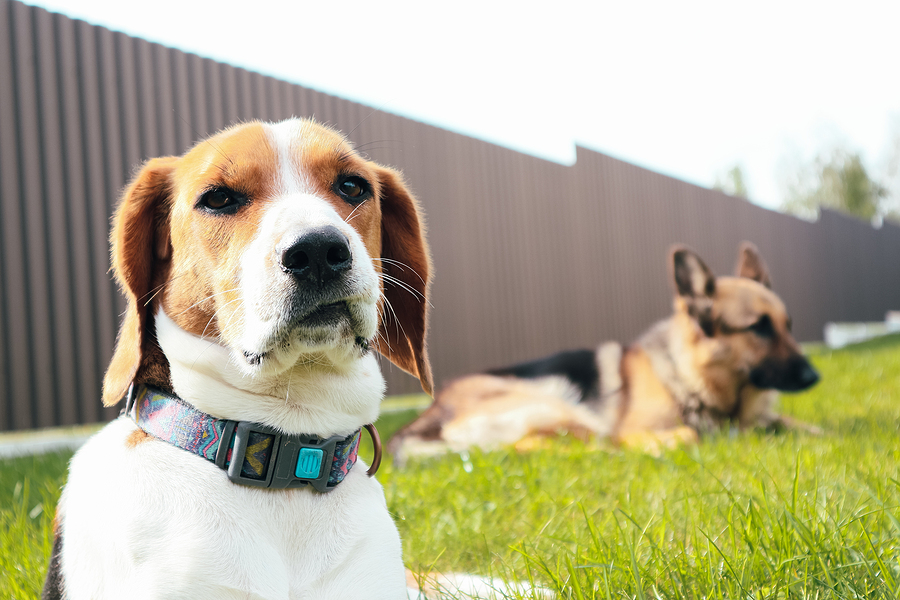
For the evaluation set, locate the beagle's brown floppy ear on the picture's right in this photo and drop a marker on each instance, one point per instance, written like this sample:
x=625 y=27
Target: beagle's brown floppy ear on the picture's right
x=406 y=265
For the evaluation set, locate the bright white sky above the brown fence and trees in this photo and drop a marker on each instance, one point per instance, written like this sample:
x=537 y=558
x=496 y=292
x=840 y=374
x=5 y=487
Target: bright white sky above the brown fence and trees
x=686 y=88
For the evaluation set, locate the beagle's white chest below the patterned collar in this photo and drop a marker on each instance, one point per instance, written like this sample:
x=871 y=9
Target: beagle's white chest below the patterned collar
x=153 y=521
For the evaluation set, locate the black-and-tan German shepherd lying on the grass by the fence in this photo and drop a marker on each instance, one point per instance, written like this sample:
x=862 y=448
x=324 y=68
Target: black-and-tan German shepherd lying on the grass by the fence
x=716 y=362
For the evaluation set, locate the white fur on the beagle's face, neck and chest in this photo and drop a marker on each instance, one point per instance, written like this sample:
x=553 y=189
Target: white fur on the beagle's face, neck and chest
x=156 y=522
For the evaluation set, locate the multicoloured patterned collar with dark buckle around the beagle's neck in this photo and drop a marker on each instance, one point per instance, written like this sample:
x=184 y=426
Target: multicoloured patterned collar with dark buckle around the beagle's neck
x=270 y=459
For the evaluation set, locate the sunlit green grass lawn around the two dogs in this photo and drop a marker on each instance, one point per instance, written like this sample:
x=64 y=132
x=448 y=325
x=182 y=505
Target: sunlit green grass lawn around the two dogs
x=739 y=516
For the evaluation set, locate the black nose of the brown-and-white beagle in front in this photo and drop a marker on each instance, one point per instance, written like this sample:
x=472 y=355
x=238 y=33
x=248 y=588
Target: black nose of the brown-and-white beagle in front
x=318 y=256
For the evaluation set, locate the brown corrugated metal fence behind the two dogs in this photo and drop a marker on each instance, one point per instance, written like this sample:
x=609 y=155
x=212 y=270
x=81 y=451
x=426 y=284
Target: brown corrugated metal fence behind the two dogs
x=530 y=256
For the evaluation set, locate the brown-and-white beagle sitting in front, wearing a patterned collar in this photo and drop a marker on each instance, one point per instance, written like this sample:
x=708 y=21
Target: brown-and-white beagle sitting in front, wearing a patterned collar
x=262 y=269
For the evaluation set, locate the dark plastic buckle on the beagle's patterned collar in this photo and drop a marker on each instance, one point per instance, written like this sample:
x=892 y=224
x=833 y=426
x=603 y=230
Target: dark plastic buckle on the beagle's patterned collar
x=282 y=465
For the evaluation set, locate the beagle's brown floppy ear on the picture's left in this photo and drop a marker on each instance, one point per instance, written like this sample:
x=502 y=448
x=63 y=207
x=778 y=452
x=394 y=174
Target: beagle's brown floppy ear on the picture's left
x=140 y=247
